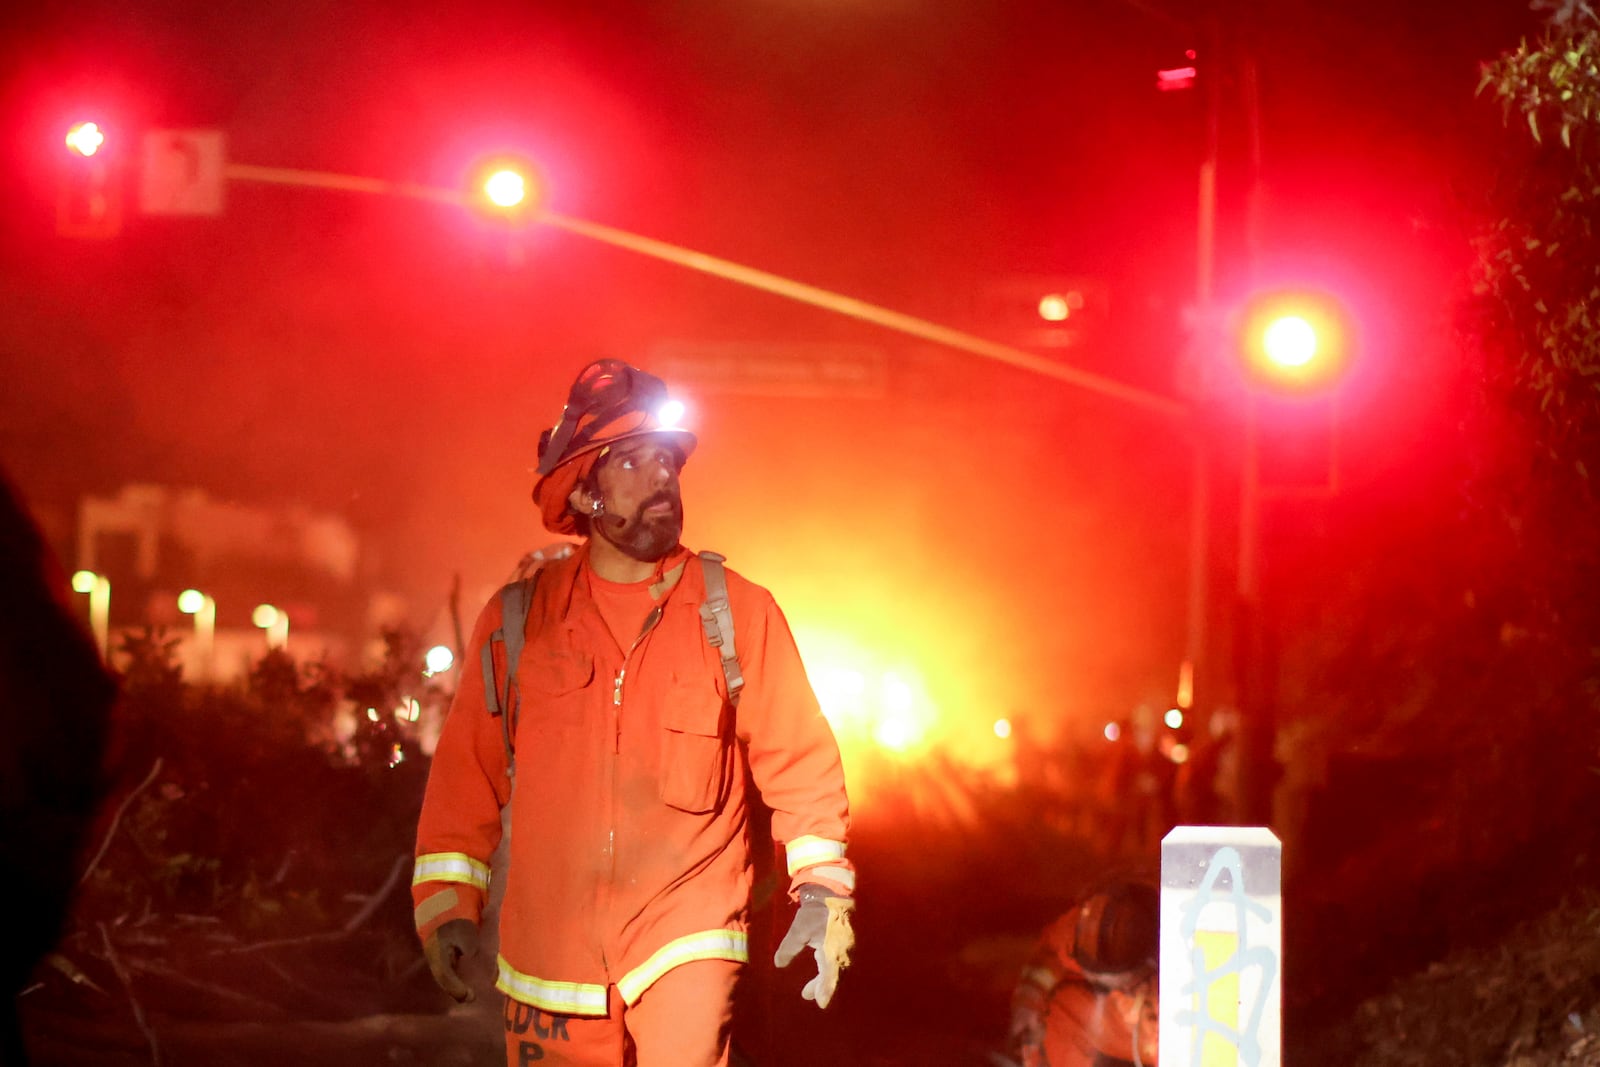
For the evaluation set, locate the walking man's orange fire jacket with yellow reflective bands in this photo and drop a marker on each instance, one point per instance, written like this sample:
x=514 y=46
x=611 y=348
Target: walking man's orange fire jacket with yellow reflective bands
x=631 y=849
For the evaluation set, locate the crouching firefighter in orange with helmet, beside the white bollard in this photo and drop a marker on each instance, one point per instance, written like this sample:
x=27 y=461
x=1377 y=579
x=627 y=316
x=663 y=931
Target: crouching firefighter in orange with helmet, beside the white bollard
x=1089 y=996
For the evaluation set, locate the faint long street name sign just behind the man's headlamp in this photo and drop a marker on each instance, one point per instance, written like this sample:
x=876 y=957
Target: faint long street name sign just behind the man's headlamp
x=772 y=369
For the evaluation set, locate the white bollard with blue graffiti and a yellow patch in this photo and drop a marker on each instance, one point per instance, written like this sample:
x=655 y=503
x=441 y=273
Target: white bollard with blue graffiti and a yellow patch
x=1222 y=948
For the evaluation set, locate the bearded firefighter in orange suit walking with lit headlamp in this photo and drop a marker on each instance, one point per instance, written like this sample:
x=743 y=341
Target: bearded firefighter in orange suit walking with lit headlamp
x=625 y=917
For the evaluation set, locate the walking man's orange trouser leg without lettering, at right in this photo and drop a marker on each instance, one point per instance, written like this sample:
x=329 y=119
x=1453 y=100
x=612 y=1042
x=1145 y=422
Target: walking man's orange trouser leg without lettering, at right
x=686 y=1018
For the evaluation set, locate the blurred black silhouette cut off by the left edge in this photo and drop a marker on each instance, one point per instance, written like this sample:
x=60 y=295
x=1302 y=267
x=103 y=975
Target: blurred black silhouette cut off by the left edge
x=55 y=705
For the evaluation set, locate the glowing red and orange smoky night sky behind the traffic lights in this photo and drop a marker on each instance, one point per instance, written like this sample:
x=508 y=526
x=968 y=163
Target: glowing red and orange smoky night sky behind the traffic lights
x=394 y=361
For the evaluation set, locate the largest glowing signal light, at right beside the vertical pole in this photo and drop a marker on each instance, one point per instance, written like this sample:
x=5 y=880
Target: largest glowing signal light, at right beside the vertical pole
x=1295 y=342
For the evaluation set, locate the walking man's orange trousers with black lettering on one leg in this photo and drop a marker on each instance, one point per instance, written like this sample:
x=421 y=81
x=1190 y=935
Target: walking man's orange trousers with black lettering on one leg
x=686 y=1020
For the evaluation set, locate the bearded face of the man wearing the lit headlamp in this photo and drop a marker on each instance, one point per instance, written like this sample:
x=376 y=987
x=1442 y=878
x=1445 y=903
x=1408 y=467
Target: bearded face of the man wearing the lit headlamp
x=639 y=486
